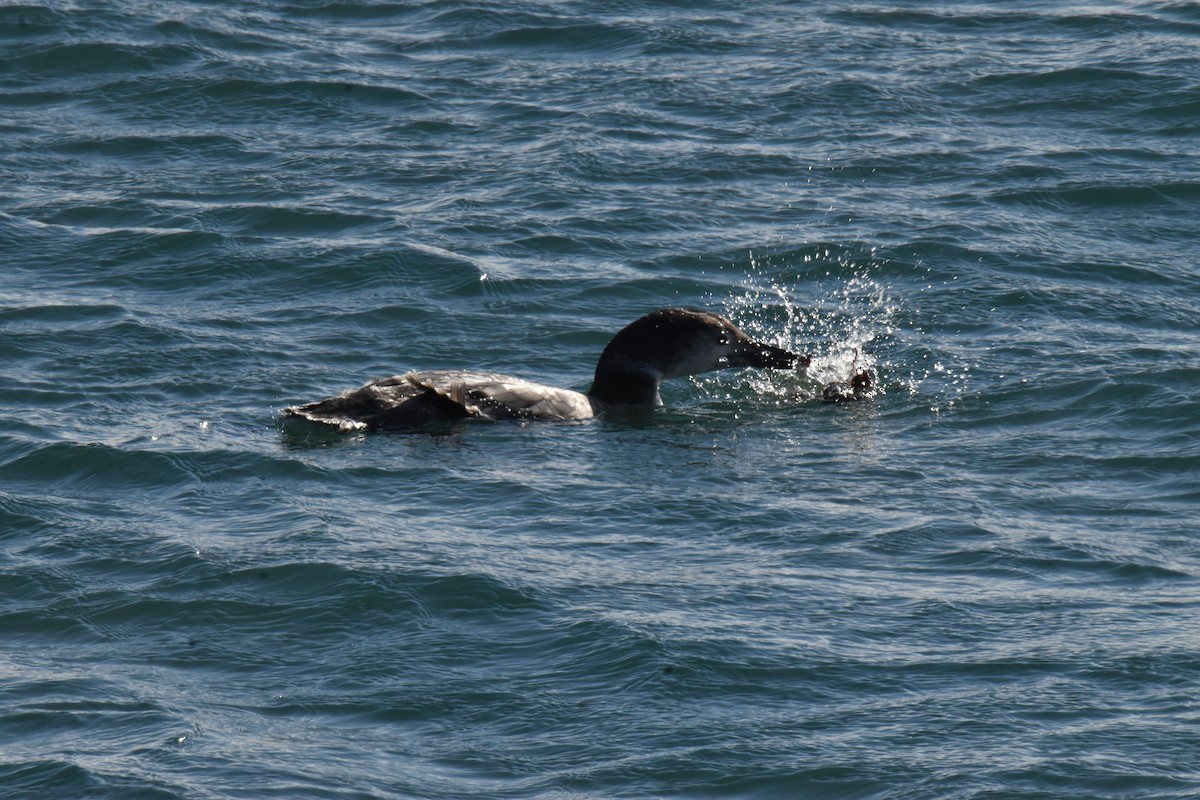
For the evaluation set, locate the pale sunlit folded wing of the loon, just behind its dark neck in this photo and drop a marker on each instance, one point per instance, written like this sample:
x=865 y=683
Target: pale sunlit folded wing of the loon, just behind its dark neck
x=494 y=396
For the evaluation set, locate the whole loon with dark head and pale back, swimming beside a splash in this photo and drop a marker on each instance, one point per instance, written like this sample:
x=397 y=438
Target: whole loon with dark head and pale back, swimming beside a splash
x=663 y=345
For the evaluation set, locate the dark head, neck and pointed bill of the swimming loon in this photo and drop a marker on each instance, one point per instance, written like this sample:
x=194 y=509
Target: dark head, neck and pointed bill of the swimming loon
x=673 y=344
